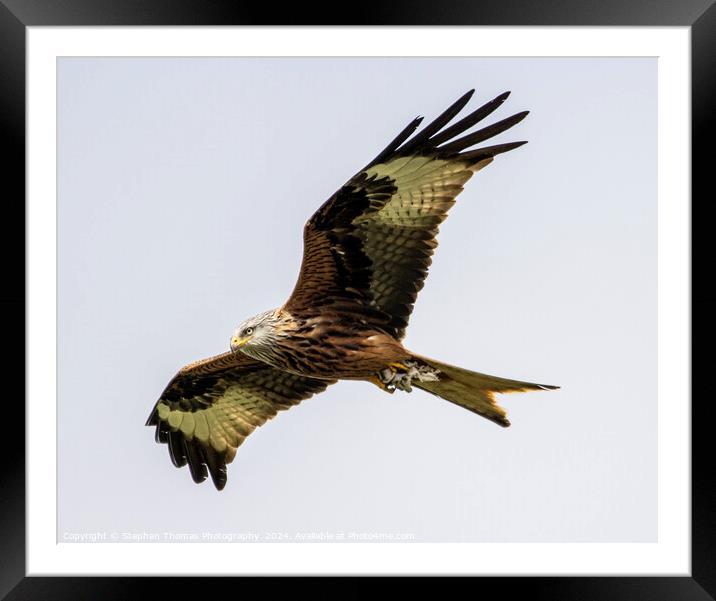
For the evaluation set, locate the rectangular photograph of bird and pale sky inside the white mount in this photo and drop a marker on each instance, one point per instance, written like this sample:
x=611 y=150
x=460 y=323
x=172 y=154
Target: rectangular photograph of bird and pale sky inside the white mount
x=451 y=264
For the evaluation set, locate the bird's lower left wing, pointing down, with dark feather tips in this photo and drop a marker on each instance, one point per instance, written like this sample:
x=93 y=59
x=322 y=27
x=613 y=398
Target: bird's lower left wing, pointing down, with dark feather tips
x=211 y=406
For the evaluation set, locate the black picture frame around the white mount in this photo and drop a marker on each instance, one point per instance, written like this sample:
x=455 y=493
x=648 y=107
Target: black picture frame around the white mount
x=17 y=15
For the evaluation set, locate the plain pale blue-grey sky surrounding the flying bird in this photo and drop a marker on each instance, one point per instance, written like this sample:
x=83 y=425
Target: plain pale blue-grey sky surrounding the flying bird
x=183 y=188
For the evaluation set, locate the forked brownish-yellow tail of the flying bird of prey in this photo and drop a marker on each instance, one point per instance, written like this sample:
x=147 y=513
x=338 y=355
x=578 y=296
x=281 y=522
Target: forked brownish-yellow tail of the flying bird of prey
x=471 y=390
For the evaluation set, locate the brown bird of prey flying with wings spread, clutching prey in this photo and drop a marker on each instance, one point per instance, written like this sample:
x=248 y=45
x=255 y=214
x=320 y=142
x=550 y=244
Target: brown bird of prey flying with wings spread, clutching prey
x=366 y=255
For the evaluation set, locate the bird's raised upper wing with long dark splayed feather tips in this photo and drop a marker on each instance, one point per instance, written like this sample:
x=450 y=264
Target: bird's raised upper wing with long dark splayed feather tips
x=368 y=247
